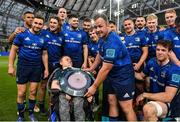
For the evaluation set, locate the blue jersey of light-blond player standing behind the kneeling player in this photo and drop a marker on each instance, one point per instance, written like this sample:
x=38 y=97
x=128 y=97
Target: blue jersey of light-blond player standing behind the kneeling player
x=152 y=39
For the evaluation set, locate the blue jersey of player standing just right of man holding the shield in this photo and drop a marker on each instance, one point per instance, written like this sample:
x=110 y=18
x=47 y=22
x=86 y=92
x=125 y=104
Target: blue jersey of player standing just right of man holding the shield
x=134 y=44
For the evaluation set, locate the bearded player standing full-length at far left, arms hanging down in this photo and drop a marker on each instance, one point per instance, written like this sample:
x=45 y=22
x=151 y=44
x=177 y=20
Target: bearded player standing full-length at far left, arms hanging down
x=32 y=51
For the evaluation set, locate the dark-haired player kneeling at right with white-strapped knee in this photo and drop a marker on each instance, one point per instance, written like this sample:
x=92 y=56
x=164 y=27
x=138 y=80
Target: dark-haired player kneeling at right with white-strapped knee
x=164 y=83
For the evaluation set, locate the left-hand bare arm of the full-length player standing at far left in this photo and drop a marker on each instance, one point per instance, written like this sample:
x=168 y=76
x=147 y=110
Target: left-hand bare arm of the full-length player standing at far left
x=12 y=56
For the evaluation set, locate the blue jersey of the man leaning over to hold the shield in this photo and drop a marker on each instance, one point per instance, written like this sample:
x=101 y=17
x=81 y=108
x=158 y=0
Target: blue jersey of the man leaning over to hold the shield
x=112 y=50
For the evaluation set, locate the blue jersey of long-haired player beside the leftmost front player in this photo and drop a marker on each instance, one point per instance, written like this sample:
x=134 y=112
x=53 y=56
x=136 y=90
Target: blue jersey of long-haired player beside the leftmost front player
x=54 y=45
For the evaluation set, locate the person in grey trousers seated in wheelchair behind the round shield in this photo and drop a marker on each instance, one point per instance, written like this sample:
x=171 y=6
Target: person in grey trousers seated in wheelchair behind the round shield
x=64 y=99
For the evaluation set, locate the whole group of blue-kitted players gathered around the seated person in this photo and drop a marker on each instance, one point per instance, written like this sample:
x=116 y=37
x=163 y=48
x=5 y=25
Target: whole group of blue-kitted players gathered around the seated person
x=138 y=67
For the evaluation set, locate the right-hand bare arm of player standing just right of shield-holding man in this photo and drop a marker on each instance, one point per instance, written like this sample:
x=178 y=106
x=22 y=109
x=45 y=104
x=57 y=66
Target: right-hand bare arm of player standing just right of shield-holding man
x=142 y=59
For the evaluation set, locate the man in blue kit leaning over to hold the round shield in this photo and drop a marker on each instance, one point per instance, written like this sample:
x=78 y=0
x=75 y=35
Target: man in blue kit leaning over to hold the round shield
x=116 y=69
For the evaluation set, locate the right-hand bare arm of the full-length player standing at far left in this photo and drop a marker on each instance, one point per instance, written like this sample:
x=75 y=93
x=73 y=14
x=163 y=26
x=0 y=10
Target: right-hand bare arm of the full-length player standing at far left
x=45 y=62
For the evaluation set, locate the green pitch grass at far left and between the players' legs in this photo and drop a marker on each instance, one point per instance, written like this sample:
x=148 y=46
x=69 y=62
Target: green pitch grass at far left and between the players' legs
x=8 y=94
